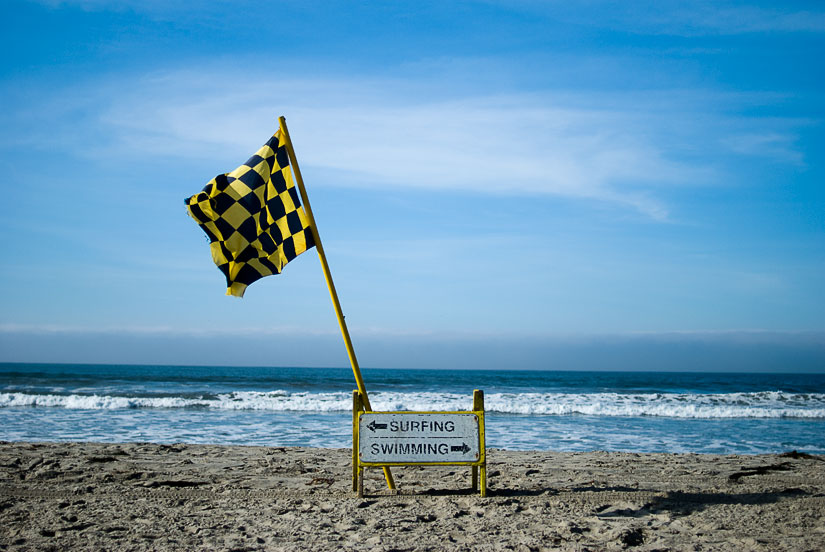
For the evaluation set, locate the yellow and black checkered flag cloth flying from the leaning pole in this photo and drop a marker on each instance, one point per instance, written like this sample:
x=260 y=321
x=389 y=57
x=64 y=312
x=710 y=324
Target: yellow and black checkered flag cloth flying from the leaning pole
x=253 y=217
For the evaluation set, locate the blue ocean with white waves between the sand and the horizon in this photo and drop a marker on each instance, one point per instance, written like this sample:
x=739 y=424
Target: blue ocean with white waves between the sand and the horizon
x=721 y=413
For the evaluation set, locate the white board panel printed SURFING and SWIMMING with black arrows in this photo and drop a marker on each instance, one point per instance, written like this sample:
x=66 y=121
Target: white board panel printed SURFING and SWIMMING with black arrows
x=418 y=437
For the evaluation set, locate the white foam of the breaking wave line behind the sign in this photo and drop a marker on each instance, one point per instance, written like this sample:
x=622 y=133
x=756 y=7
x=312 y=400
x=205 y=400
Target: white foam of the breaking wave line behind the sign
x=773 y=404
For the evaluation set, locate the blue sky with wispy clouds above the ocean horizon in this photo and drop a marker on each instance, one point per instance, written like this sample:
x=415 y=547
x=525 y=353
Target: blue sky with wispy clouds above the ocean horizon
x=536 y=185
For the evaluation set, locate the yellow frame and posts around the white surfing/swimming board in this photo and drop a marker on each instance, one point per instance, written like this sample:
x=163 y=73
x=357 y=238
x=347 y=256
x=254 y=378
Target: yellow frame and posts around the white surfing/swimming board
x=478 y=468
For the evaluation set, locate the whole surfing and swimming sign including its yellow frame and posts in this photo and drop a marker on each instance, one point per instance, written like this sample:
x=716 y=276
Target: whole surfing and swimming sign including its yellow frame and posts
x=383 y=439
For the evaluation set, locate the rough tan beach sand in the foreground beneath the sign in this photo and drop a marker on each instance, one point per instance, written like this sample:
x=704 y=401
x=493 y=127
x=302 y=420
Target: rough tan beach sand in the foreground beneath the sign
x=83 y=496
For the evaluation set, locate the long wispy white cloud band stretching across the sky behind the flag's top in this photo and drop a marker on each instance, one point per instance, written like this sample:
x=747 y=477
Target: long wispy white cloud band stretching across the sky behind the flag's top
x=622 y=149
